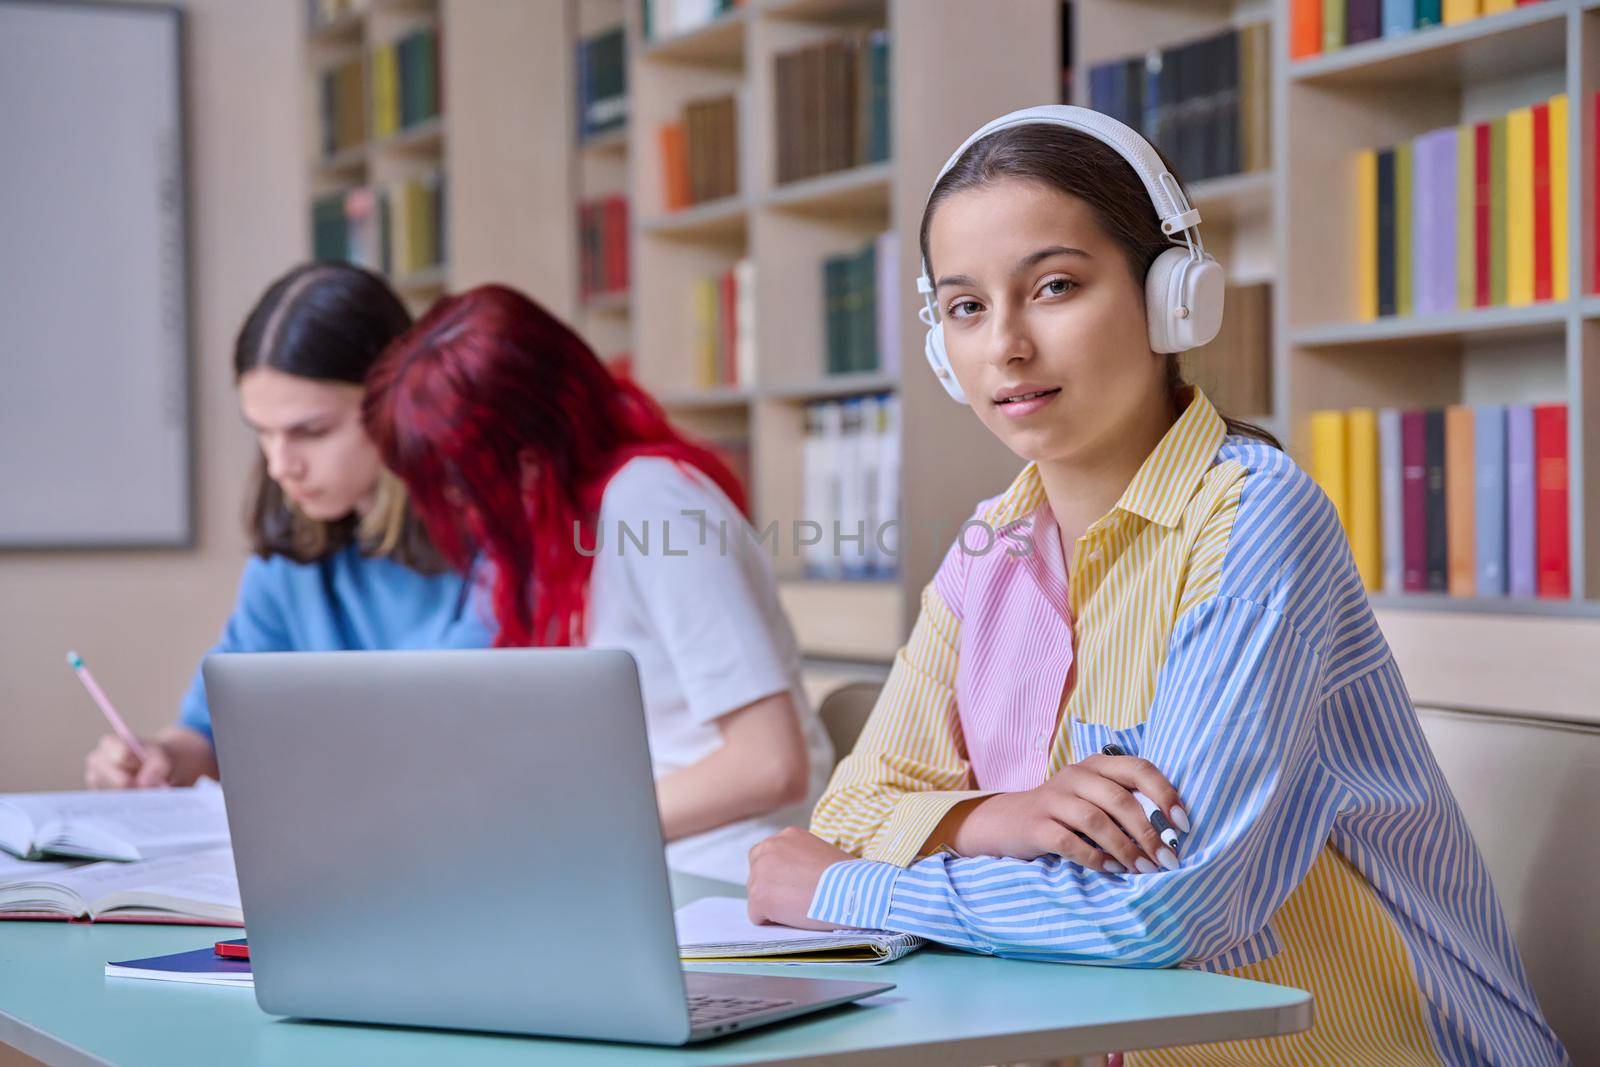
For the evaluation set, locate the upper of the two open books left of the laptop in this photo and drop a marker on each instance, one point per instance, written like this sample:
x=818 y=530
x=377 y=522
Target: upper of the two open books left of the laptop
x=114 y=825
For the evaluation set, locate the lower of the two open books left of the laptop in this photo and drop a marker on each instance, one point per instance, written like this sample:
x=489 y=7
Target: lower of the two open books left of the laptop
x=188 y=889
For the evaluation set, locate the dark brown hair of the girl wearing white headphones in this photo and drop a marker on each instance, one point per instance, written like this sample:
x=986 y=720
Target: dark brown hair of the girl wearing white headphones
x=1095 y=174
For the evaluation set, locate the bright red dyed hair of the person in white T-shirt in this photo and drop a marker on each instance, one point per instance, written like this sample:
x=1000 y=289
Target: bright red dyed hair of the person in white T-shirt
x=508 y=428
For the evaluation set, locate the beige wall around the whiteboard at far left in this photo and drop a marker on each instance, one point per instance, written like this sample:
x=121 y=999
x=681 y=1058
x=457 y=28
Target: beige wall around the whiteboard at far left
x=142 y=620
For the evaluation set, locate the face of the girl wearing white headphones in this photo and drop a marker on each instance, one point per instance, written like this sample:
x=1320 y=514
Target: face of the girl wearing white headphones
x=1042 y=321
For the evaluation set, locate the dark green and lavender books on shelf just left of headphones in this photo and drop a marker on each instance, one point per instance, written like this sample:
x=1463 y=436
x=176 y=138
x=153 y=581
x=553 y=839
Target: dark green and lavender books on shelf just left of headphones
x=860 y=302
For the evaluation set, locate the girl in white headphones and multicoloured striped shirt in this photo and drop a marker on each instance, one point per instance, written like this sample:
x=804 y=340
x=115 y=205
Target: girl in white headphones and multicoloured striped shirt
x=1188 y=601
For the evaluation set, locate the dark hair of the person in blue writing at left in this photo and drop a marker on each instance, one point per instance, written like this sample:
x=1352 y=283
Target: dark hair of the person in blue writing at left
x=329 y=322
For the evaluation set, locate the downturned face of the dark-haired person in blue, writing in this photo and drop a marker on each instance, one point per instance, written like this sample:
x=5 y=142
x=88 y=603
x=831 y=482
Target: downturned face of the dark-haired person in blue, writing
x=313 y=439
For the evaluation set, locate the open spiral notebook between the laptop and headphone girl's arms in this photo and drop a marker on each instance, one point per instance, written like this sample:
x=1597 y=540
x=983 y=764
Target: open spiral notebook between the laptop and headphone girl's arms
x=719 y=930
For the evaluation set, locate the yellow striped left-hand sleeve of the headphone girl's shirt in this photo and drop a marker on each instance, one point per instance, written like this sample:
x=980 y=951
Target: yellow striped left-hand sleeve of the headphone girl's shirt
x=910 y=767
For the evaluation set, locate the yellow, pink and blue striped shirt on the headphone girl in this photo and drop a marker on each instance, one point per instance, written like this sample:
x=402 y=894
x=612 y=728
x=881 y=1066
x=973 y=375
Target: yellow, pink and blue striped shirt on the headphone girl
x=1214 y=623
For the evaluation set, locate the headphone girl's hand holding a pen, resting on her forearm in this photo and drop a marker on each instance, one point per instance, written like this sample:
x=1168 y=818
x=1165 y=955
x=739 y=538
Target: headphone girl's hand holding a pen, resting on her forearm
x=1092 y=799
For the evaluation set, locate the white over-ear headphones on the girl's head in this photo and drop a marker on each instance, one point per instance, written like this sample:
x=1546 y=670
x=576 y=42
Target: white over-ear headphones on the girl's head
x=1183 y=292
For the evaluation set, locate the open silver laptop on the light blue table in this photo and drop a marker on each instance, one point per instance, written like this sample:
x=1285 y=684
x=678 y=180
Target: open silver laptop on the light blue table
x=470 y=841
